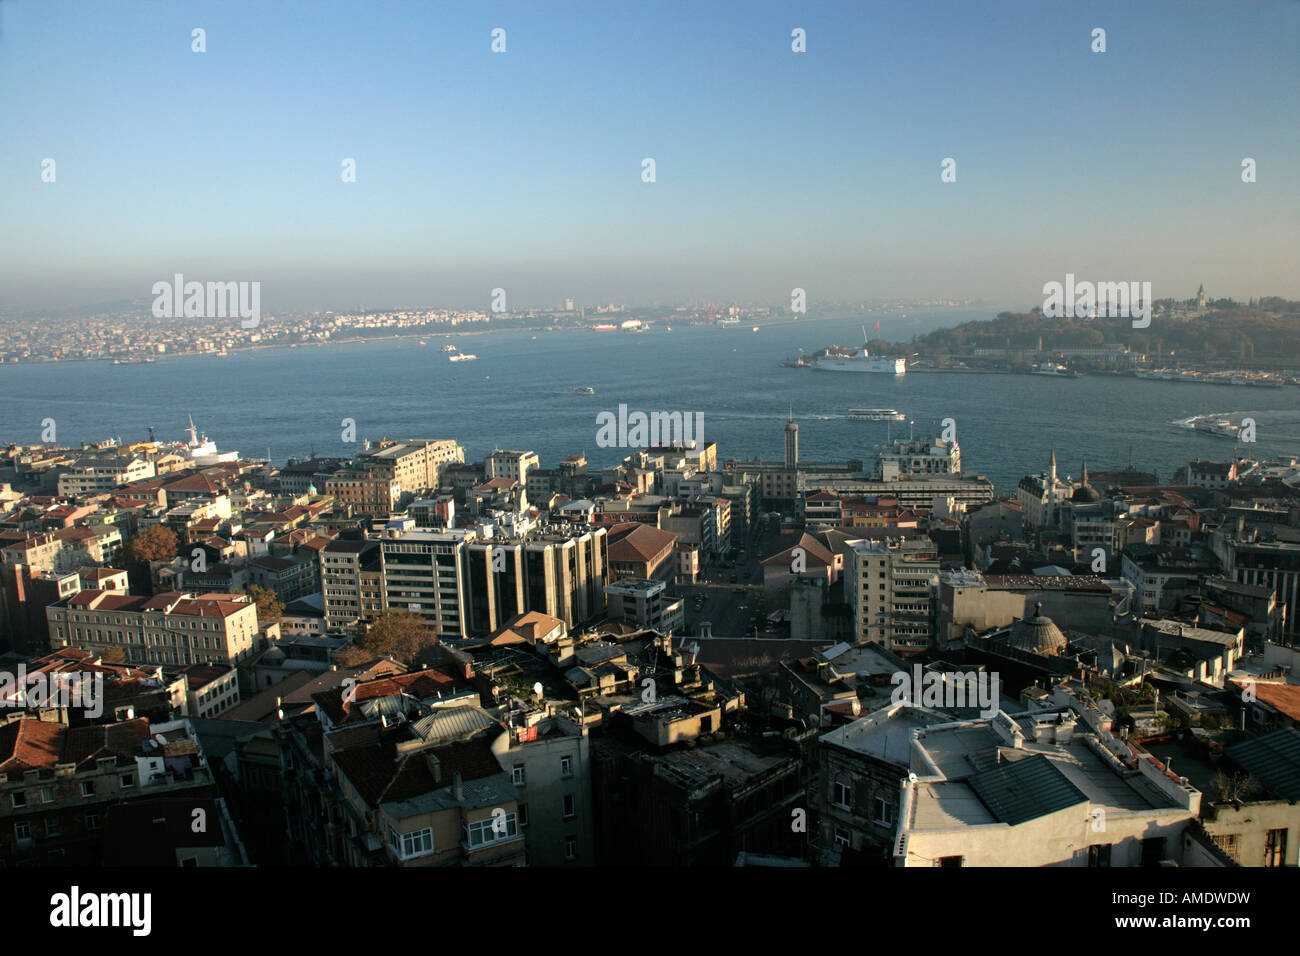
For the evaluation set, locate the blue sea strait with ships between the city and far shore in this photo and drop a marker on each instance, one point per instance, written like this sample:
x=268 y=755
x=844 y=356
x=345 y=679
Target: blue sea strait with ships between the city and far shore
x=287 y=403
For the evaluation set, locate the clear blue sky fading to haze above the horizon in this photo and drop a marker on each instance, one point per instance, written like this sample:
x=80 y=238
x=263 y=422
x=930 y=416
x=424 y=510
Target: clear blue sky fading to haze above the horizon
x=523 y=170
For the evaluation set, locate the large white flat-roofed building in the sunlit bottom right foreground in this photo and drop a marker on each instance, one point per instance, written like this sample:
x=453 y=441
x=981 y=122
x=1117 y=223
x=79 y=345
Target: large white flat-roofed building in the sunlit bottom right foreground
x=1047 y=789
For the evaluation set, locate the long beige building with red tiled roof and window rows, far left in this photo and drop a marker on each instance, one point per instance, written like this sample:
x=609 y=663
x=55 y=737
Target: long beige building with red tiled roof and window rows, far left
x=175 y=628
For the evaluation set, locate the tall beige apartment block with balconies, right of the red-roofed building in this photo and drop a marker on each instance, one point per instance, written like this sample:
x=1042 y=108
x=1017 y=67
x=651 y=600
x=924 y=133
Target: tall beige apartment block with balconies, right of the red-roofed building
x=891 y=587
